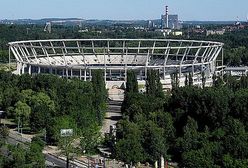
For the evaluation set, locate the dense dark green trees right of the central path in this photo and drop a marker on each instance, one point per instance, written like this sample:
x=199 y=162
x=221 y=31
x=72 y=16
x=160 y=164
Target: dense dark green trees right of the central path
x=195 y=127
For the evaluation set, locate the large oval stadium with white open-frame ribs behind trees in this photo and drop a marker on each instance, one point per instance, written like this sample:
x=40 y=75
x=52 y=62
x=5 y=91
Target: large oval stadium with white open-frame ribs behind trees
x=76 y=58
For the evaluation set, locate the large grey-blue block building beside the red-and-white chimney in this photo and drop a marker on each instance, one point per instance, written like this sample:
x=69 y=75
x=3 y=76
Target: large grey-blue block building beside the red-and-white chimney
x=173 y=22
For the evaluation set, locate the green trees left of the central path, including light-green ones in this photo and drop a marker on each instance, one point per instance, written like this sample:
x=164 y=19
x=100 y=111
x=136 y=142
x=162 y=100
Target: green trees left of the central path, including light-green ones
x=46 y=104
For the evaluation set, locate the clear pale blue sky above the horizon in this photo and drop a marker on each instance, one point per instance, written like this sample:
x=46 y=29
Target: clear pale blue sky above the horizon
x=124 y=9
